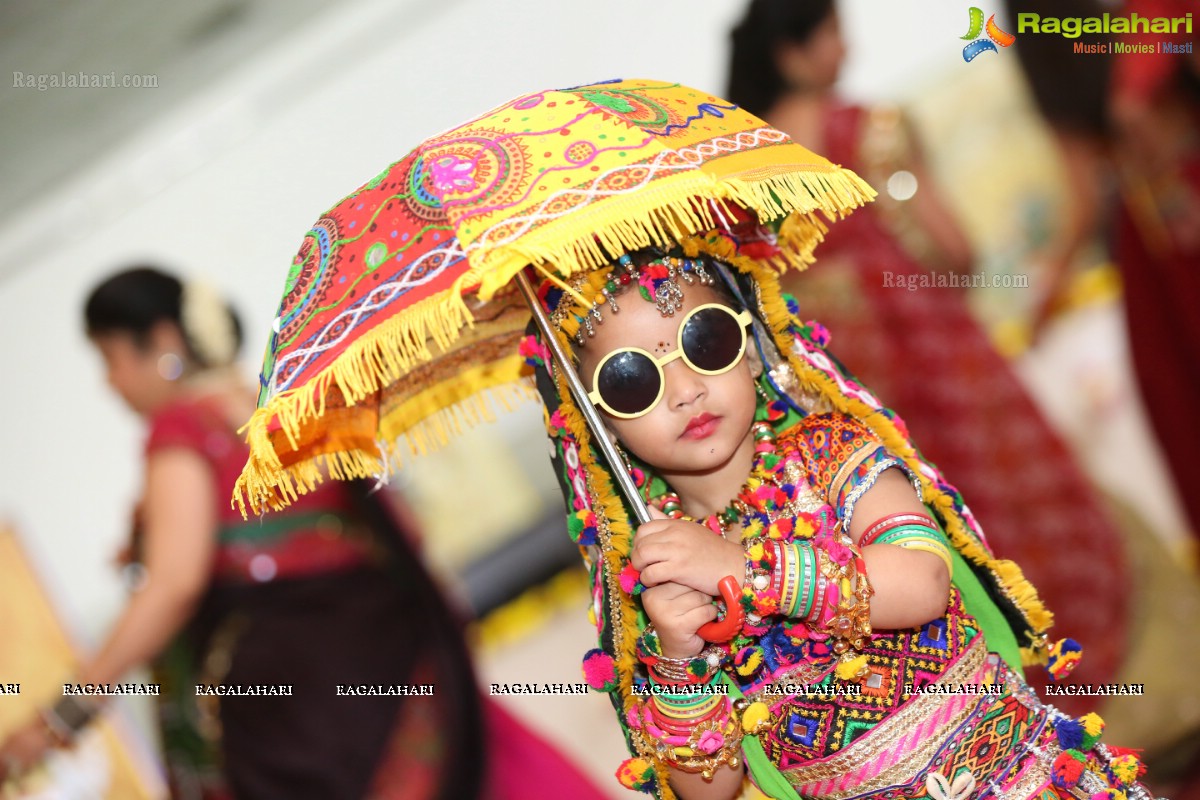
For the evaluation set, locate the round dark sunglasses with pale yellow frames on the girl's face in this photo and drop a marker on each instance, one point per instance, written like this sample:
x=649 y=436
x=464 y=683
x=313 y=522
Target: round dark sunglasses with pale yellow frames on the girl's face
x=629 y=383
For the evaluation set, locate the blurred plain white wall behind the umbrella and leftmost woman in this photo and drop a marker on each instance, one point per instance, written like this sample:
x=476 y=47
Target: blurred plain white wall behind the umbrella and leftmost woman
x=227 y=188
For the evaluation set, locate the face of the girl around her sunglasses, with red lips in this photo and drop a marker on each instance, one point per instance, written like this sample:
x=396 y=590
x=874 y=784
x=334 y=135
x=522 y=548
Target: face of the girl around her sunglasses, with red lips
x=703 y=420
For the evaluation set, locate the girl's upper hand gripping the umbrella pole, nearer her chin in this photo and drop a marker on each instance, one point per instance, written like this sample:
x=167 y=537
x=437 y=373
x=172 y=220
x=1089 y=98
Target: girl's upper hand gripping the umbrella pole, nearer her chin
x=685 y=552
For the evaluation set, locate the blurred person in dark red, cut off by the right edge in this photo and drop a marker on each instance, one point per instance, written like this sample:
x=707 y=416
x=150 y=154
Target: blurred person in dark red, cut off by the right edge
x=1127 y=131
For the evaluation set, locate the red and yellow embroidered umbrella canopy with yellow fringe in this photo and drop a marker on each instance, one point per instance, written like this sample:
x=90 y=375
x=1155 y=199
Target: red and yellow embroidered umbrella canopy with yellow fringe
x=401 y=317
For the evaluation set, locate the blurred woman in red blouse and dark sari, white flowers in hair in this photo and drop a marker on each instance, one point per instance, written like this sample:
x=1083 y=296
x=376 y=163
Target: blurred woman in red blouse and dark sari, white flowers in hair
x=329 y=593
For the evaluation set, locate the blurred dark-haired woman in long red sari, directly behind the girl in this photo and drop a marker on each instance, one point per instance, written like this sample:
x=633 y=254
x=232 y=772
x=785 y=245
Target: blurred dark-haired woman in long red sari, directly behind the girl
x=922 y=351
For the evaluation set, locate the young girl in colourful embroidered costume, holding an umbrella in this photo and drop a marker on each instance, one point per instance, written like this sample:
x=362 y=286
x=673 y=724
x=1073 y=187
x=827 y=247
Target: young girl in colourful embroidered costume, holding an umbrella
x=874 y=659
